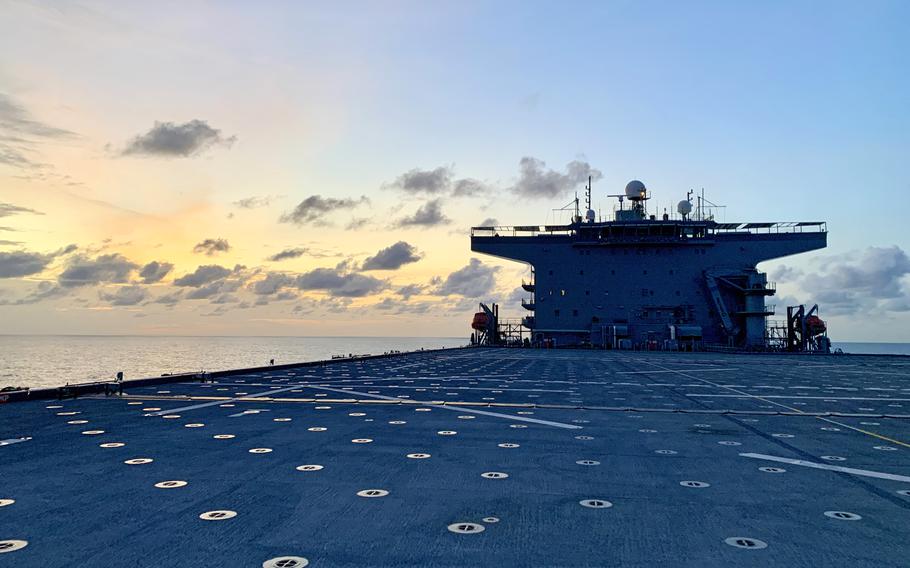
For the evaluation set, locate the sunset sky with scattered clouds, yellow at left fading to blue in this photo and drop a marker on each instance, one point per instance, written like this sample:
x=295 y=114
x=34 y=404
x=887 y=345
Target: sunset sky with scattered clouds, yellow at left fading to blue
x=288 y=168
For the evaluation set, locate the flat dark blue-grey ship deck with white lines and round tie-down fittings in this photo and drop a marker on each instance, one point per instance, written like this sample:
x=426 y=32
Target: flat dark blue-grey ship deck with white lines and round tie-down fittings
x=781 y=447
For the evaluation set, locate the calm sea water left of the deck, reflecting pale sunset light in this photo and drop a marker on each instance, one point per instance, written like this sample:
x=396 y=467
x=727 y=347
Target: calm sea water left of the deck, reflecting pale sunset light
x=49 y=361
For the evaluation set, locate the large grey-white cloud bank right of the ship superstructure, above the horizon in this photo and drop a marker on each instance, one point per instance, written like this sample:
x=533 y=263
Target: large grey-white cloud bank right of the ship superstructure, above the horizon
x=871 y=282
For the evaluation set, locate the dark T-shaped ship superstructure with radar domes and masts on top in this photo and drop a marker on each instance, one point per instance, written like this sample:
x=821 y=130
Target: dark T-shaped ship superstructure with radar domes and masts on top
x=642 y=282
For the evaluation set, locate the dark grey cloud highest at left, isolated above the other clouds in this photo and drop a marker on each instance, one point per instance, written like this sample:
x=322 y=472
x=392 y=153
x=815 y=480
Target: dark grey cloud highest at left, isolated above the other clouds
x=170 y=140
